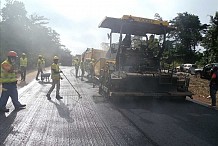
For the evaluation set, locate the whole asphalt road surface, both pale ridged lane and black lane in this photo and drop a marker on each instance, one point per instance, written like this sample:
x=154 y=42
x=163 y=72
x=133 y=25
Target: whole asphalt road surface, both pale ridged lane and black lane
x=95 y=120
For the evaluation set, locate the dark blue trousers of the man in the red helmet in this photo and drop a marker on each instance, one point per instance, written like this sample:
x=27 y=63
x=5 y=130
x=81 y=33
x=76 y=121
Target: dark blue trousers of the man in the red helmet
x=9 y=89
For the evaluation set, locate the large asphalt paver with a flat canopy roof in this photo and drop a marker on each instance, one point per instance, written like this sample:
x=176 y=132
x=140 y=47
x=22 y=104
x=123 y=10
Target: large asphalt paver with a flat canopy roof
x=137 y=56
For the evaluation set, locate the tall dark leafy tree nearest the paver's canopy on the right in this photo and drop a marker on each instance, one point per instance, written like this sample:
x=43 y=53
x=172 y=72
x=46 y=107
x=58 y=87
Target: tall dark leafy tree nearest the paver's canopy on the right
x=187 y=36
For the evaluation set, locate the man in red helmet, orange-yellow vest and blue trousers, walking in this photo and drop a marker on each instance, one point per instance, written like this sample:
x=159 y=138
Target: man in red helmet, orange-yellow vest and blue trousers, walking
x=9 y=83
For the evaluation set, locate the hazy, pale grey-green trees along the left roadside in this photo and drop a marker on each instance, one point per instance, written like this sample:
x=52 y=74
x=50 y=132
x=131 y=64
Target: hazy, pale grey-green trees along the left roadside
x=29 y=34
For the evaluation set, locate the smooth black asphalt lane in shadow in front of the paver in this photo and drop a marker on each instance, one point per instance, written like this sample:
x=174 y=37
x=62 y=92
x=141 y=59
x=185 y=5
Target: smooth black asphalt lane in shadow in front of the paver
x=171 y=123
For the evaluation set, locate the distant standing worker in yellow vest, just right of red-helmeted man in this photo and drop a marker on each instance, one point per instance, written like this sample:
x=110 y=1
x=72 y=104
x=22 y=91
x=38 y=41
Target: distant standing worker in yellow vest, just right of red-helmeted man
x=23 y=66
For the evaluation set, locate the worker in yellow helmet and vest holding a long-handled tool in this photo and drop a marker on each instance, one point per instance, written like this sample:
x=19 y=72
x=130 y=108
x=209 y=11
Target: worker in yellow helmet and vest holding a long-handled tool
x=55 y=76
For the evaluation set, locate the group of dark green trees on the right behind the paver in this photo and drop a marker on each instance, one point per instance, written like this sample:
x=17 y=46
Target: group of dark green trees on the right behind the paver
x=189 y=35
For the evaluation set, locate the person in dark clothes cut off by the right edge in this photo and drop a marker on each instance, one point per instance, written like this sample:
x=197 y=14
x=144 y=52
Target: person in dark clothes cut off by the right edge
x=214 y=85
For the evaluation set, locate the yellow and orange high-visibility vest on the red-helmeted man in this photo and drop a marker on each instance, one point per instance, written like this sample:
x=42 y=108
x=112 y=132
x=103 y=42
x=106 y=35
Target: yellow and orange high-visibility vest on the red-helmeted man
x=7 y=77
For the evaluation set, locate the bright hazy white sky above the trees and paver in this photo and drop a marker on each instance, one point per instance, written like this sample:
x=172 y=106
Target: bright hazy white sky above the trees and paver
x=77 y=21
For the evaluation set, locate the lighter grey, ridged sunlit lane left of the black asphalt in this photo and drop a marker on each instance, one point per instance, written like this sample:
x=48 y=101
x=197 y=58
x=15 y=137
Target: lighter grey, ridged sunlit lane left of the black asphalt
x=90 y=120
